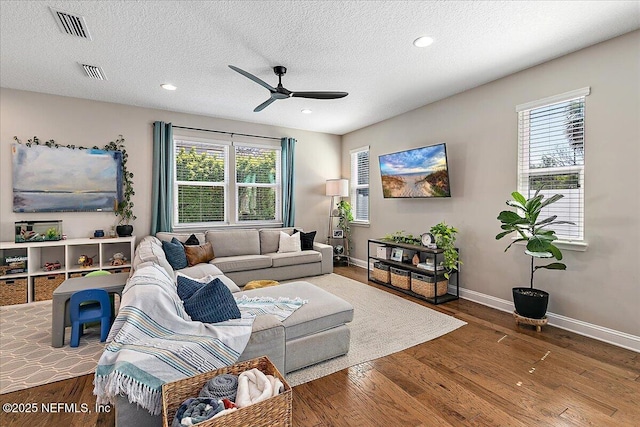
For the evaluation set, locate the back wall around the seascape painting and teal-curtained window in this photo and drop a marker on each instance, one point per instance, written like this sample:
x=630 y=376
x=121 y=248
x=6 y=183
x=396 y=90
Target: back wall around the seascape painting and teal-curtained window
x=88 y=123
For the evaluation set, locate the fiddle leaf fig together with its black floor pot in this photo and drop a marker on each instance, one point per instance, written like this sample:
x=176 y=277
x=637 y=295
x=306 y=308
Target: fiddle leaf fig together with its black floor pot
x=530 y=302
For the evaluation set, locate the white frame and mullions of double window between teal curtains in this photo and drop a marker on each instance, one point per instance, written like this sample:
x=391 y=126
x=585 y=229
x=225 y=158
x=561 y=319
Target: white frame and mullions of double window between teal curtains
x=230 y=186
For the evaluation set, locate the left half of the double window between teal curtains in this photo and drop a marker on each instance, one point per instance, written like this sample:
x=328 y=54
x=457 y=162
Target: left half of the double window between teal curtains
x=200 y=185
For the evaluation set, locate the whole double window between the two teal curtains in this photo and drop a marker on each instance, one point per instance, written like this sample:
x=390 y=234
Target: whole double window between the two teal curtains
x=219 y=183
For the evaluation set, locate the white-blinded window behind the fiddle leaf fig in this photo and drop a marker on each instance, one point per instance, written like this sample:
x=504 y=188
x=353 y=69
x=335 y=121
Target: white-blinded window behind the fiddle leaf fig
x=551 y=157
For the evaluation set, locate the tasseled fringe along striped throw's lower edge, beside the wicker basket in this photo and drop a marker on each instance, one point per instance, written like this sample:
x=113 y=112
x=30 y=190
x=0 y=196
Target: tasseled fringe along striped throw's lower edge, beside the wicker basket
x=107 y=387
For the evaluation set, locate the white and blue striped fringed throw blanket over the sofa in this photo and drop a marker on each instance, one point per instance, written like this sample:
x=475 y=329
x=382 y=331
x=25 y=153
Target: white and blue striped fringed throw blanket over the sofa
x=154 y=341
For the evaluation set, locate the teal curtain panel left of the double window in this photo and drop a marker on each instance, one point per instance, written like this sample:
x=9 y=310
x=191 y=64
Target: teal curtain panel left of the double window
x=162 y=185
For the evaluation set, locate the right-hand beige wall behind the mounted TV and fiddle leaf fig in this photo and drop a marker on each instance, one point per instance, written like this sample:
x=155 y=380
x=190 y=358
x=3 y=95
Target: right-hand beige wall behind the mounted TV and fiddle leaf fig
x=601 y=285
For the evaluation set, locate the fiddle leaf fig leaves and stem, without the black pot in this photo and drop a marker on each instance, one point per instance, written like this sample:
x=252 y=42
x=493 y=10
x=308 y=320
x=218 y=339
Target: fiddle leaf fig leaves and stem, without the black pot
x=532 y=230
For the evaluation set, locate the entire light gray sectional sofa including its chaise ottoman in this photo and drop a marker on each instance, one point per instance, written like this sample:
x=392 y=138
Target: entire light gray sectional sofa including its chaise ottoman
x=315 y=332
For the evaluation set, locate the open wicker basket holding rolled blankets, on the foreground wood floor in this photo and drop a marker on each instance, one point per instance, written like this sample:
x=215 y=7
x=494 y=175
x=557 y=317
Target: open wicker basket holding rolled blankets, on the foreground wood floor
x=275 y=411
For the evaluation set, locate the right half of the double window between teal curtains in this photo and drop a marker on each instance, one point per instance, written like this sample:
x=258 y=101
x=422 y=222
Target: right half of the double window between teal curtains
x=258 y=195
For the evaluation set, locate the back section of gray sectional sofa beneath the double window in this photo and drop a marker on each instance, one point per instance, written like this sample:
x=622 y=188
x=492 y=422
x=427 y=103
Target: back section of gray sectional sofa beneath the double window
x=252 y=254
